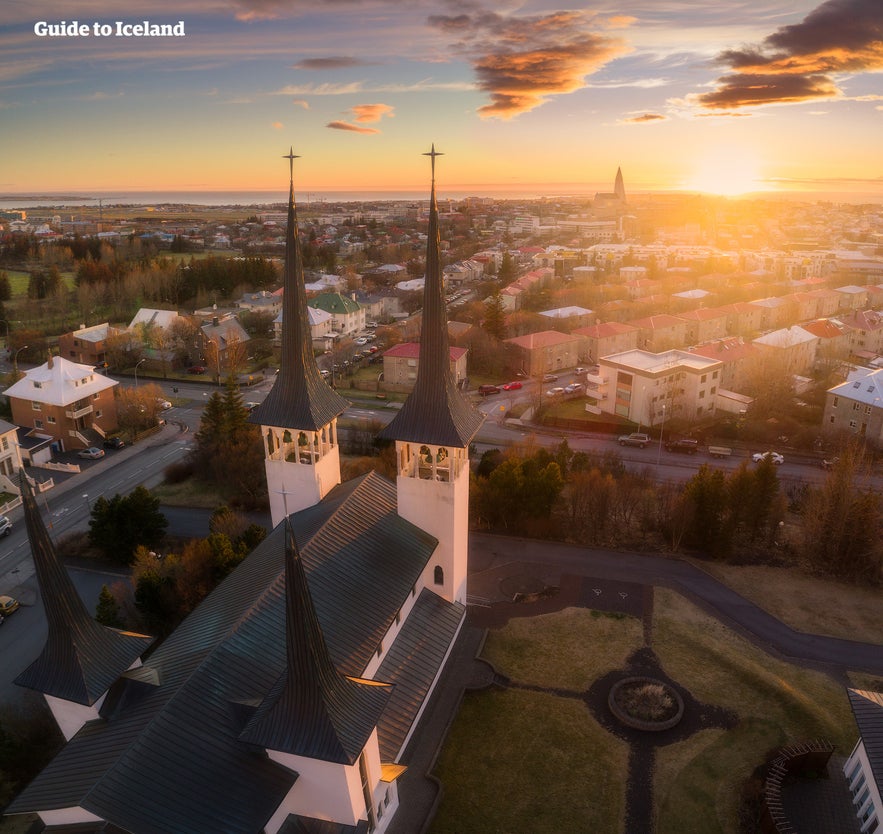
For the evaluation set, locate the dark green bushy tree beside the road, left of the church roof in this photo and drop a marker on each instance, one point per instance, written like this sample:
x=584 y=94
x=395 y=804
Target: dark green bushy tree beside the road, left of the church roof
x=120 y=525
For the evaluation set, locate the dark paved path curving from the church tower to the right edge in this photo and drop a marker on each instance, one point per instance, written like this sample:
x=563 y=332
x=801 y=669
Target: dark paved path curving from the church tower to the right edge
x=493 y=558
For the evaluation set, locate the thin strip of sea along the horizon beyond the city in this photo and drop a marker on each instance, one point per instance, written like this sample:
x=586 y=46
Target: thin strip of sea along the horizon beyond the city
x=271 y=198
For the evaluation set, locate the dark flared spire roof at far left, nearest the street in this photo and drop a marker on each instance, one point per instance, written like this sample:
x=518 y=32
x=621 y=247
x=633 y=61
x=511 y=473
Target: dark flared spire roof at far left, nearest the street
x=81 y=659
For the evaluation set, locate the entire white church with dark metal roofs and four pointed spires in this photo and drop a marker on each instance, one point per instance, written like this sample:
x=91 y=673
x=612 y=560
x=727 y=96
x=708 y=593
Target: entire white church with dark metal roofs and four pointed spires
x=284 y=702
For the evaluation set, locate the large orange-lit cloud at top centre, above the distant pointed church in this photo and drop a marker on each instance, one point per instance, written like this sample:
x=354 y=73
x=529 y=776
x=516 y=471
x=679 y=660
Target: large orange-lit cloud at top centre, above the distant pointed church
x=532 y=58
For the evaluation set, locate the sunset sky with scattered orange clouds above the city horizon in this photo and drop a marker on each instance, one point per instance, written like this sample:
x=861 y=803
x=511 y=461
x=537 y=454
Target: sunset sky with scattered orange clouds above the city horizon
x=729 y=97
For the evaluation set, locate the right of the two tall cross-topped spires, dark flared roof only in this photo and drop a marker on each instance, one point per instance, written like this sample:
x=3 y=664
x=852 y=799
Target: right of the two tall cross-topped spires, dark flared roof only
x=435 y=411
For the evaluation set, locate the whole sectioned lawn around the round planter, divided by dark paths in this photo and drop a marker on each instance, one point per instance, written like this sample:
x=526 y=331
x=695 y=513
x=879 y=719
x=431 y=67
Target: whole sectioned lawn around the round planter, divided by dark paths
x=504 y=762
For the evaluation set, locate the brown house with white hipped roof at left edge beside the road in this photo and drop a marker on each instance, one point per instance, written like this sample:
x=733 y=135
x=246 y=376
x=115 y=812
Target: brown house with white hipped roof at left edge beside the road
x=65 y=401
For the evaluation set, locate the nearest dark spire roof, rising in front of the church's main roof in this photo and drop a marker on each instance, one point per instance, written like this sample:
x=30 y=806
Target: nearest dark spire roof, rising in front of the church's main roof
x=314 y=710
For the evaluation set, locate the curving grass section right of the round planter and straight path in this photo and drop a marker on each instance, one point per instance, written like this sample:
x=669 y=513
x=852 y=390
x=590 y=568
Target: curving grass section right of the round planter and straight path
x=777 y=703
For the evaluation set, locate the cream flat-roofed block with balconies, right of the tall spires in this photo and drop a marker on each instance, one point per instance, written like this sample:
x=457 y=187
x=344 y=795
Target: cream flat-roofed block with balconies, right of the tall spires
x=649 y=388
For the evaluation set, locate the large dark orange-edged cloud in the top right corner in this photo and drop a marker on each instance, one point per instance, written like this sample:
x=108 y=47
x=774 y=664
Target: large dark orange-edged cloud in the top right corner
x=798 y=62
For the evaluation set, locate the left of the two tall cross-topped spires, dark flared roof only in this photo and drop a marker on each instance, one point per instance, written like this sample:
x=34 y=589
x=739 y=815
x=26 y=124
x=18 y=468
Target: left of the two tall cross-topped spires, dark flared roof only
x=300 y=398
